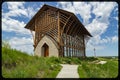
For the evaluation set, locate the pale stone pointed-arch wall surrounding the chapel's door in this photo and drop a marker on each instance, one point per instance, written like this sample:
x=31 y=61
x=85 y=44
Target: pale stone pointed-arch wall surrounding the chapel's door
x=53 y=47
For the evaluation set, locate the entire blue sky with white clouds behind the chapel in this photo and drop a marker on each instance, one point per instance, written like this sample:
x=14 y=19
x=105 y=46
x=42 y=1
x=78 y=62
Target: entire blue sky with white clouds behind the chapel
x=99 y=18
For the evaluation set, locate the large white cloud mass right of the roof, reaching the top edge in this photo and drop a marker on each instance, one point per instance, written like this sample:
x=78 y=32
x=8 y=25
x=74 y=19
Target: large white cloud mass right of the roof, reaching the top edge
x=99 y=25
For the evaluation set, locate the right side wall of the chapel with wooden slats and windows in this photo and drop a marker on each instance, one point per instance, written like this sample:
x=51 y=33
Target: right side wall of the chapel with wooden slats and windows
x=74 y=45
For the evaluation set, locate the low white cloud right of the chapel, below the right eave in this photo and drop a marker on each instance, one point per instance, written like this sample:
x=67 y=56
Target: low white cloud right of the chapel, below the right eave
x=96 y=42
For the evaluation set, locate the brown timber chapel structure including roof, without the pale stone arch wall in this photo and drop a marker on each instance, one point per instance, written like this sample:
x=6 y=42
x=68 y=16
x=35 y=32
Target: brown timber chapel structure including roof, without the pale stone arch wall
x=63 y=27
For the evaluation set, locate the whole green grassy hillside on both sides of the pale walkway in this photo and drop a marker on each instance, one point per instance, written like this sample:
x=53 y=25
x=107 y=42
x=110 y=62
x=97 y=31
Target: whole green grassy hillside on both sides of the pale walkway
x=17 y=64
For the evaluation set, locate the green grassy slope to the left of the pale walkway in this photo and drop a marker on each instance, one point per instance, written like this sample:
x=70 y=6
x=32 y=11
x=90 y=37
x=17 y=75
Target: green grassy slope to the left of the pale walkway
x=16 y=64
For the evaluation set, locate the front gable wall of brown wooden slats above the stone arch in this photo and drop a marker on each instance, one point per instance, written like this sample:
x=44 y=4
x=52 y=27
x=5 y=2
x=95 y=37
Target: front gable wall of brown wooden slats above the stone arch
x=46 y=23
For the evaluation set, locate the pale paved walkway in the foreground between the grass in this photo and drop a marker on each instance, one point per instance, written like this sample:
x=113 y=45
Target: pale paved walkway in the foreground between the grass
x=68 y=71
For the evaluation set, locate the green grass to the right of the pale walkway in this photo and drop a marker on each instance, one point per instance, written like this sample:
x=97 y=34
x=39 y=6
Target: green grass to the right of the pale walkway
x=89 y=69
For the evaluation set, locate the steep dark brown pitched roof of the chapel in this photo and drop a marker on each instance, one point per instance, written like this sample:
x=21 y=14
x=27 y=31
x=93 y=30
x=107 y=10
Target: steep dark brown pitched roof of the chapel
x=31 y=23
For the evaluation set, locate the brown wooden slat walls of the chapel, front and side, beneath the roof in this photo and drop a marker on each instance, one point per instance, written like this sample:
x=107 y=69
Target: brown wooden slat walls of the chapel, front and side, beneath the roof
x=60 y=27
